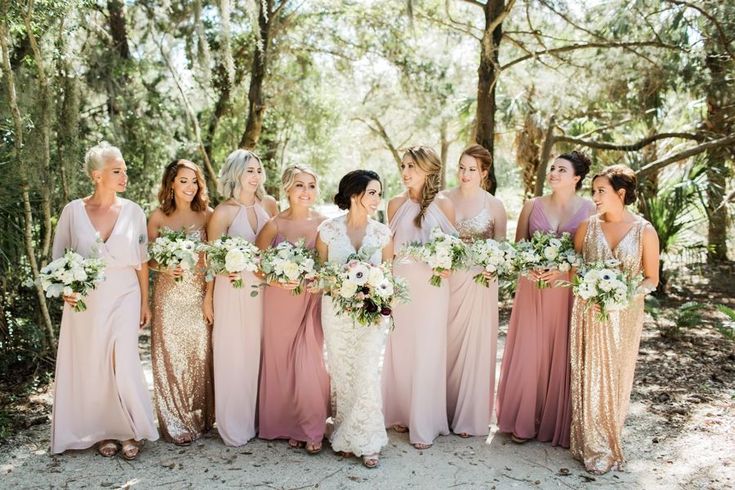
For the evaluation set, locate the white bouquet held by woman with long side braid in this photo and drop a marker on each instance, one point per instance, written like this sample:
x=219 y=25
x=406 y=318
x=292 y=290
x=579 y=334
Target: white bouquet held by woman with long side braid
x=443 y=252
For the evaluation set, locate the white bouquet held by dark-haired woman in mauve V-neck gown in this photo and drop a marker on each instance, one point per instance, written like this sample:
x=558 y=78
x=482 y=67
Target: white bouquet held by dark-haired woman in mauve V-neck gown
x=545 y=251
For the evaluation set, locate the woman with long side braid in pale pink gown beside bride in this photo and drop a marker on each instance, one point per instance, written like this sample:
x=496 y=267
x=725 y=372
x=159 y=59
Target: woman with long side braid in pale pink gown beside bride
x=415 y=364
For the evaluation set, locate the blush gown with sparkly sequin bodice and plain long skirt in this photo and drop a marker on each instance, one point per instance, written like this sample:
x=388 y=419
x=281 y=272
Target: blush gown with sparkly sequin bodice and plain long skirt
x=472 y=339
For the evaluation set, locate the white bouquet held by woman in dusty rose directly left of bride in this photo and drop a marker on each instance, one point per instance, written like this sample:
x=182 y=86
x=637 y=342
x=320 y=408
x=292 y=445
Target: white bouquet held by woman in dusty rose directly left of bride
x=289 y=262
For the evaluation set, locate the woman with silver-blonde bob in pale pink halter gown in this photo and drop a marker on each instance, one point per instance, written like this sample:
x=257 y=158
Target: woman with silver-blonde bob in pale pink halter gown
x=236 y=316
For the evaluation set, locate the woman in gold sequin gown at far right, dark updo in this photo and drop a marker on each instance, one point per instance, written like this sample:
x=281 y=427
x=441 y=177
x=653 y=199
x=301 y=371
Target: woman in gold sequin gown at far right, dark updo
x=604 y=352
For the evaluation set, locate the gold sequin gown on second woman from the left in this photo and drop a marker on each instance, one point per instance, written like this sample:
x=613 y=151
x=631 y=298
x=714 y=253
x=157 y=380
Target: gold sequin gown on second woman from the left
x=181 y=355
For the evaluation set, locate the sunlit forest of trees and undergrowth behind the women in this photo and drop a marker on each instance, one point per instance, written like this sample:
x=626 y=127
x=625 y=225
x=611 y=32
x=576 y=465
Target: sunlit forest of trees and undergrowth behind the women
x=347 y=84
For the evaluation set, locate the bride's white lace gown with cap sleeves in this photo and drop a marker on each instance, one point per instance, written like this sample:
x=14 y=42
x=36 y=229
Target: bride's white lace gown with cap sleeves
x=354 y=351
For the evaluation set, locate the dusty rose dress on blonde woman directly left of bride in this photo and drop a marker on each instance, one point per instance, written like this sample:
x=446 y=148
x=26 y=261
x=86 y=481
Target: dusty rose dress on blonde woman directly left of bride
x=294 y=384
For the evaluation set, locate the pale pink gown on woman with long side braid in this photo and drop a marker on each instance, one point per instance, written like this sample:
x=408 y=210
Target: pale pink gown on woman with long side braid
x=415 y=364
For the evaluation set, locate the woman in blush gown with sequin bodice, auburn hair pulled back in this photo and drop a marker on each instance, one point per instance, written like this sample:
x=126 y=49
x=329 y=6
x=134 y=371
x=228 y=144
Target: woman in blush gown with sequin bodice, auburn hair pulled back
x=473 y=309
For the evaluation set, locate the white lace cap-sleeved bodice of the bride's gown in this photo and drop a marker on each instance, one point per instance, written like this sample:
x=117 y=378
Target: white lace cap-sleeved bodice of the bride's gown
x=333 y=232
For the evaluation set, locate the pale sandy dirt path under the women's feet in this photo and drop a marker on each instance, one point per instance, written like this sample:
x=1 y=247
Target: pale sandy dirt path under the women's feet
x=698 y=452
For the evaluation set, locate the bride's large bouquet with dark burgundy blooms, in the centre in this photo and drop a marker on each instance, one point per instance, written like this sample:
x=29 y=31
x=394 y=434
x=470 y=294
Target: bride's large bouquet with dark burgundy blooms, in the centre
x=362 y=291
